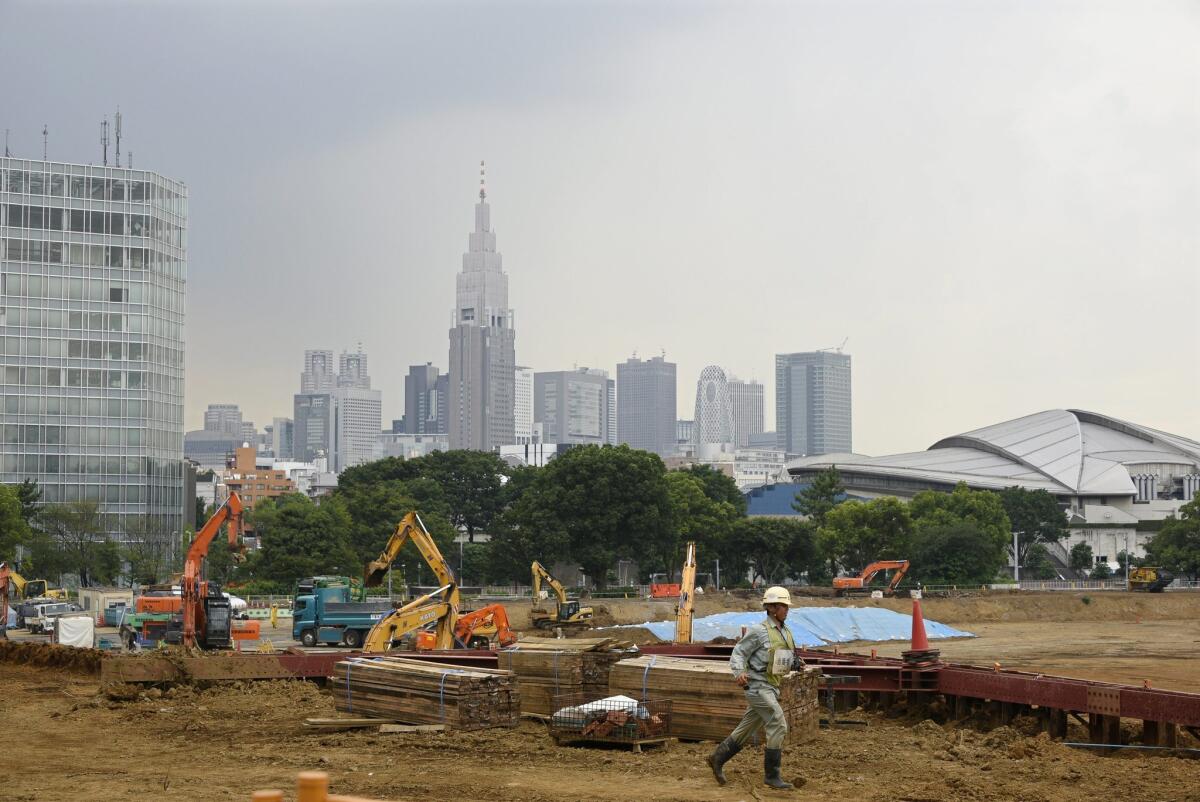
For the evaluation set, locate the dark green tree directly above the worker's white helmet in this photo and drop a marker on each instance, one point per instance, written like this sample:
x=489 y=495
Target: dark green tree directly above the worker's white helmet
x=773 y=549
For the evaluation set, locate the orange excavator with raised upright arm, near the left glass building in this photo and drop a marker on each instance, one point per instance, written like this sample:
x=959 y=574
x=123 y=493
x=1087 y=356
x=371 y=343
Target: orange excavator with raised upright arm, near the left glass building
x=208 y=617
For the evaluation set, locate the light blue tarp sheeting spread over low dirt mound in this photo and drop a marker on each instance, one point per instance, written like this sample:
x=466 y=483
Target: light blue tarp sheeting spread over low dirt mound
x=814 y=626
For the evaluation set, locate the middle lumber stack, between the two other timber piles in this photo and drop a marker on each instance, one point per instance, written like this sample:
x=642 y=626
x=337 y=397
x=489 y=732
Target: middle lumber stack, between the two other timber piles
x=553 y=667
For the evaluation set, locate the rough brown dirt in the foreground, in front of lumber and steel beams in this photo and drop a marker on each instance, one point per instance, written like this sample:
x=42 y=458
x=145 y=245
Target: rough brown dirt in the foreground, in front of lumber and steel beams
x=224 y=744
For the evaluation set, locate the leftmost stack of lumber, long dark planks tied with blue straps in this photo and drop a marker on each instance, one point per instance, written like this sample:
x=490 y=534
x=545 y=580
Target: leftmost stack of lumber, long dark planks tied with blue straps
x=416 y=692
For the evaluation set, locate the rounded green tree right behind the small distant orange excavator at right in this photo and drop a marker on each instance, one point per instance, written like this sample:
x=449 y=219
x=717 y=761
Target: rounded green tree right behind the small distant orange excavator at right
x=857 y=534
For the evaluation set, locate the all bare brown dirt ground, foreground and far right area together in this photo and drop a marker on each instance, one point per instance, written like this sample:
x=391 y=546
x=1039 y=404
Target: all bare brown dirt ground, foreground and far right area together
x=67 y=741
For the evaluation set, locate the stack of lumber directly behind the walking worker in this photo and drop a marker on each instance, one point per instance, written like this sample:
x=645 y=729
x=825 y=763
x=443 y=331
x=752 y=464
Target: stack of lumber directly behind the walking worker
x=706 y=704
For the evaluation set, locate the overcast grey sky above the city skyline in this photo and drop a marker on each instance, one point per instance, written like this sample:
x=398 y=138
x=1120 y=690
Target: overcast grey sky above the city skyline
x=995 y=202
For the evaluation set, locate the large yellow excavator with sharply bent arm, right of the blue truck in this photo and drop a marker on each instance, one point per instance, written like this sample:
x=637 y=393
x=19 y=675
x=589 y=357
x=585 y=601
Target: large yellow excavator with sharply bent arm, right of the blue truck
x=440 y=608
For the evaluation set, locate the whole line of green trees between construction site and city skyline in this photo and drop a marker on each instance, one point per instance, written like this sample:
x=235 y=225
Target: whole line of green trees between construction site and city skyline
x=592 y=506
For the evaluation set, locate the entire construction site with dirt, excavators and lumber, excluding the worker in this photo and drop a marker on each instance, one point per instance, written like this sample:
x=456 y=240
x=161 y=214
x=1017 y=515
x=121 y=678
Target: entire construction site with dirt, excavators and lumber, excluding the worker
x=1054 y=696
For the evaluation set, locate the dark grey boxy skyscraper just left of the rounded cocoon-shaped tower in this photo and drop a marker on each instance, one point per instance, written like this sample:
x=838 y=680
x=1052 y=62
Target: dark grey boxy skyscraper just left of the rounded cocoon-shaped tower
x=646 y=405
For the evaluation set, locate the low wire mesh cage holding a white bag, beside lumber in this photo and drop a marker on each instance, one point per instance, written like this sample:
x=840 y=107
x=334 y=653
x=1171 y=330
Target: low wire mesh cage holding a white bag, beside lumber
x=619 y=720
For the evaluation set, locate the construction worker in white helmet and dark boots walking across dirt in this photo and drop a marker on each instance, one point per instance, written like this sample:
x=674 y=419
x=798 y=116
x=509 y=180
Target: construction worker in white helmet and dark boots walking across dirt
x=759 y=662
